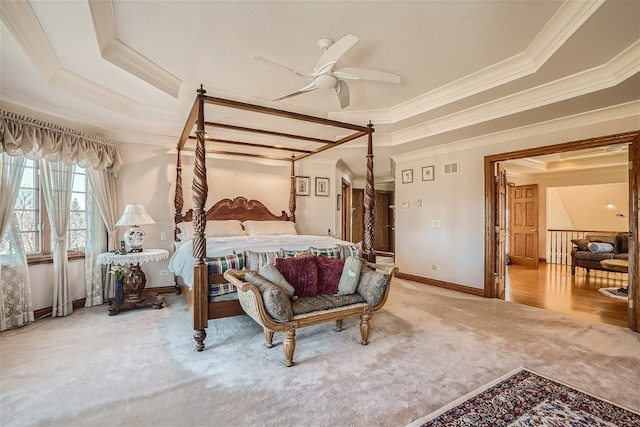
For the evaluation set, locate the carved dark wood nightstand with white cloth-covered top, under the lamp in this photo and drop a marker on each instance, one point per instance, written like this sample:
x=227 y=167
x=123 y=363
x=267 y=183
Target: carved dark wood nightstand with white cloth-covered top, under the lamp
x=135 y=281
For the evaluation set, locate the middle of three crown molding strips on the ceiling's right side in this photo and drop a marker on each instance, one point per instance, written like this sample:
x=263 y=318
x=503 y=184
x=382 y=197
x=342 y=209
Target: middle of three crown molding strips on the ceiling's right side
x=621 y=67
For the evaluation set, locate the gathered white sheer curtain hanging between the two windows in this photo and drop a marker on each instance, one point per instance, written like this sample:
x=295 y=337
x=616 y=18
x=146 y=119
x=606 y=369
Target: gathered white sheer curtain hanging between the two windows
x=56 y=179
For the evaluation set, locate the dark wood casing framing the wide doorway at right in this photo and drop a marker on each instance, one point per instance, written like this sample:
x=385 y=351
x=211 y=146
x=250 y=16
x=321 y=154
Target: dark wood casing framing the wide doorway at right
x=491 y=211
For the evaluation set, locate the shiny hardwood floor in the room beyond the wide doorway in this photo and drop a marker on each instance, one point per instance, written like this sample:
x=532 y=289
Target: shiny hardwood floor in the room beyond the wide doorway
x=553 y=288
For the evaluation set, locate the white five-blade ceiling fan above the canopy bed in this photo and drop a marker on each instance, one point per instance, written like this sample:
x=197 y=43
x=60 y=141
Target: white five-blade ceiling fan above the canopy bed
x=324 y=76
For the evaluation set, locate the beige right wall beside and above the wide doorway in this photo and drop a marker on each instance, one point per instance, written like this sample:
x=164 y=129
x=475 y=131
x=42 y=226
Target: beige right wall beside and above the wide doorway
x=457 y=201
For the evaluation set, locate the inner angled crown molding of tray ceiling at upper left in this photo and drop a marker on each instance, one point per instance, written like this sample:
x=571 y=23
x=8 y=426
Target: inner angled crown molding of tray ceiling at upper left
x=123 y=56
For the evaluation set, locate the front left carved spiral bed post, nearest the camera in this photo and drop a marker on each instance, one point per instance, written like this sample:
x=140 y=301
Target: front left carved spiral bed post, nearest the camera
x=199 y=190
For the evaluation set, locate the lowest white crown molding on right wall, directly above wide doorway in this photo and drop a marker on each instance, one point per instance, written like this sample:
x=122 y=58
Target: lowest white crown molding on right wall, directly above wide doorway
x=616 y=112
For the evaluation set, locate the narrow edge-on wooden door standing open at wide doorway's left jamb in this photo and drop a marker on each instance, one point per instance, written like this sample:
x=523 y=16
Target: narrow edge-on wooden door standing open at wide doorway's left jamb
x=501 y=232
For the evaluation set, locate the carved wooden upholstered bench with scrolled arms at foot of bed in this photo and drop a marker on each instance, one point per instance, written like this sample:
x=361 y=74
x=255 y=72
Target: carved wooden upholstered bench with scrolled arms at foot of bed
x=277 y=309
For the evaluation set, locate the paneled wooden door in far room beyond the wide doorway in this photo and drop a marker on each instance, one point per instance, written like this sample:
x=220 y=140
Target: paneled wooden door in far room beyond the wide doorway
x=523 y=225
